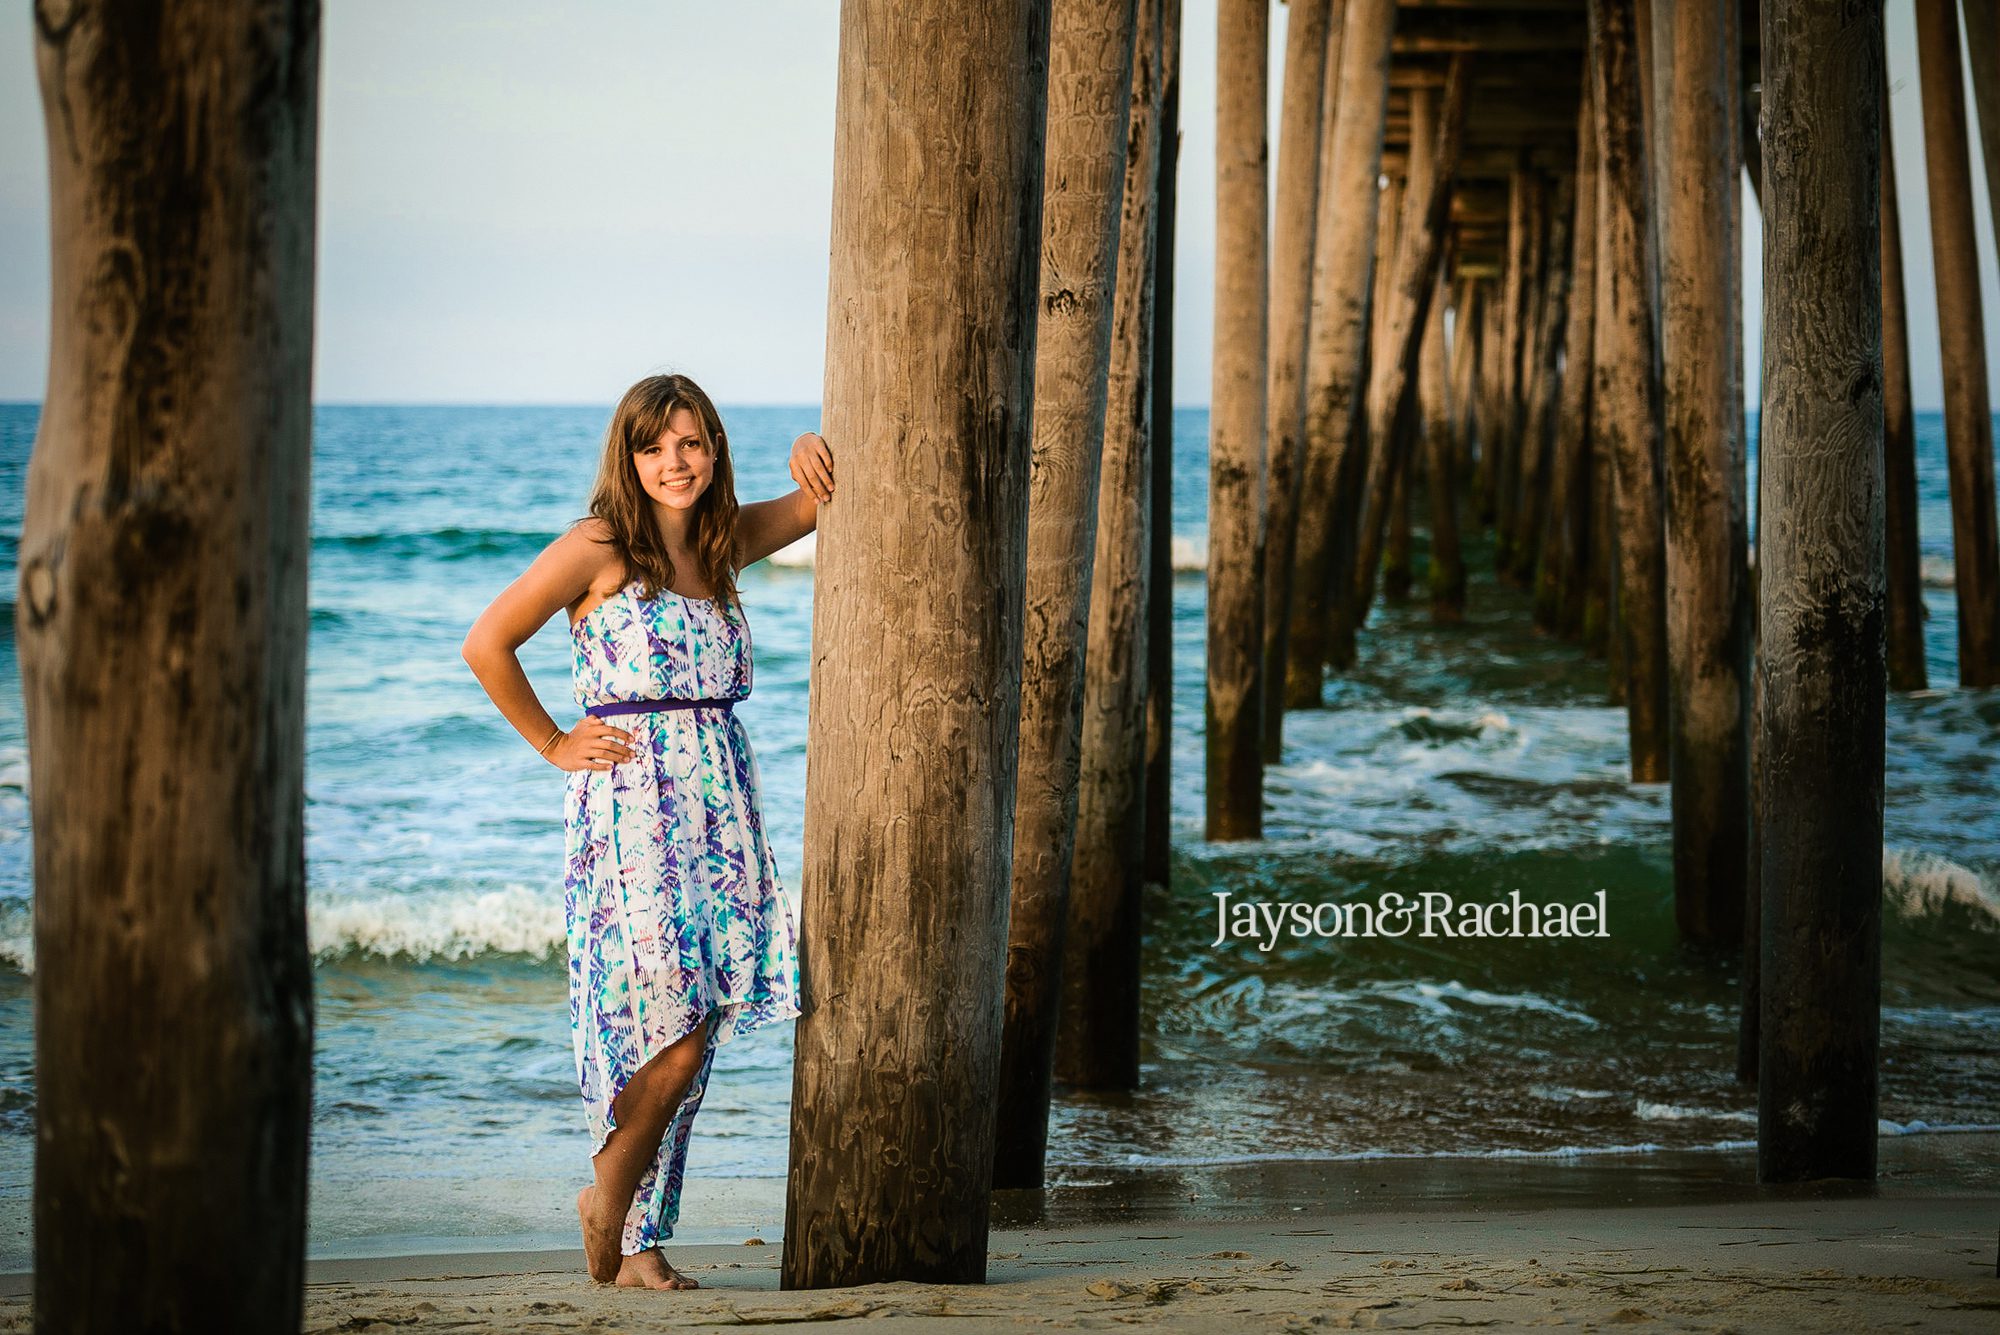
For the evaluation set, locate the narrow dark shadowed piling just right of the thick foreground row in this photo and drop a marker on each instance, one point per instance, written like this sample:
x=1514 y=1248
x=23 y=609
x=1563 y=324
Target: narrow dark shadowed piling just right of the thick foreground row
x=1161 y=569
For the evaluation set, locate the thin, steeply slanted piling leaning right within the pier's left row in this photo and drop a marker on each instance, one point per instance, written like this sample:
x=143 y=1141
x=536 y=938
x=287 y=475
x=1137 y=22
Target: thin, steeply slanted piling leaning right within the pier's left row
x=1393 y=393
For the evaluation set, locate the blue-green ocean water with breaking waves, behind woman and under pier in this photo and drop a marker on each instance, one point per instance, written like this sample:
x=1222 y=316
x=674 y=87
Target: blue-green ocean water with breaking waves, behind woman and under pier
x=1475 y=760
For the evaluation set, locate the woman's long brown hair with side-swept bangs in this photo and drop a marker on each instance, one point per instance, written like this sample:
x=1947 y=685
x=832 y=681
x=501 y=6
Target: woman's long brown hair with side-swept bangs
x=627 y=511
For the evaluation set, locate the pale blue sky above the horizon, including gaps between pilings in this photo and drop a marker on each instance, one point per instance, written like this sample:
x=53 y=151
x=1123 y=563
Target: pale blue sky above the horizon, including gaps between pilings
x=541 y=203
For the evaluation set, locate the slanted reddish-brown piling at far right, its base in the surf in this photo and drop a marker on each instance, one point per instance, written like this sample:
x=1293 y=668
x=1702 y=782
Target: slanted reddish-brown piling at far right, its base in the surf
x=1969 y=429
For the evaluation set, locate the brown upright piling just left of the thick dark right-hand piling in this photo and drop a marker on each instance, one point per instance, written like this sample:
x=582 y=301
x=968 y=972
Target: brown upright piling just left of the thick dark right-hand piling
x=1707 y=505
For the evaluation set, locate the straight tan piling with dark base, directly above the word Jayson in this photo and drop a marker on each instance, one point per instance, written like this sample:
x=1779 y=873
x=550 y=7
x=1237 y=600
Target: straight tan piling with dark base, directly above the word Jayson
x=1233 y=714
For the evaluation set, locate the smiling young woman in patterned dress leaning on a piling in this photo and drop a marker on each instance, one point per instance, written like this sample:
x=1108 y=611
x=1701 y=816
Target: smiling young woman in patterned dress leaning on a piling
x=681 y=936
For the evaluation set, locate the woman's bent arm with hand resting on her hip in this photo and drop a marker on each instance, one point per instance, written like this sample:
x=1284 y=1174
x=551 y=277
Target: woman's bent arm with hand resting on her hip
x=555 y=581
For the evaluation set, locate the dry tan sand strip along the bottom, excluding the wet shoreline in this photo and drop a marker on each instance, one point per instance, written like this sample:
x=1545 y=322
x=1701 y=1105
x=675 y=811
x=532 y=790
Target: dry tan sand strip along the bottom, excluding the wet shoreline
x=1799 y=1266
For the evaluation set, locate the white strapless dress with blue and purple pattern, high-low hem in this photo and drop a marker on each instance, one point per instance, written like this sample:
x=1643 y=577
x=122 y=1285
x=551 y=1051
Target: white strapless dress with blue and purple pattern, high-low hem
x=671 y=892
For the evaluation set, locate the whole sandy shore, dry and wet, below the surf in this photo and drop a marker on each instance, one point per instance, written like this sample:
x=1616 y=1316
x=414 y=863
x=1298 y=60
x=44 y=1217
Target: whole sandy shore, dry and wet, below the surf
x=1667 y=1242
